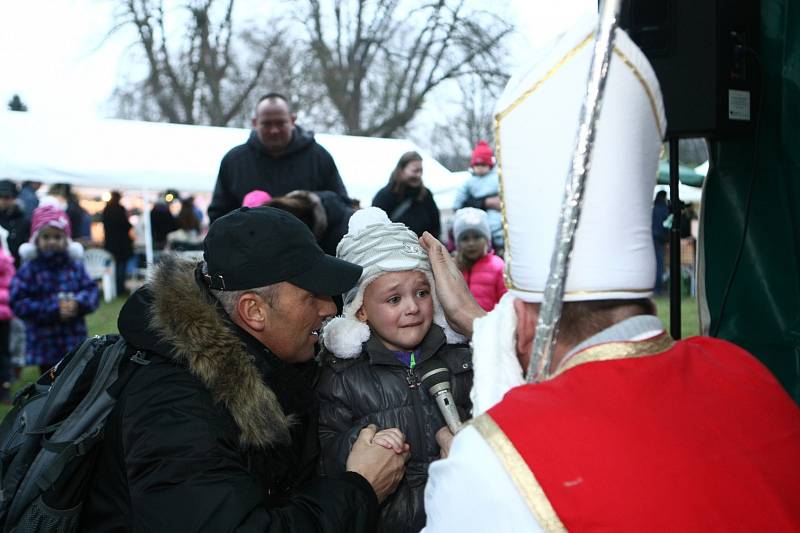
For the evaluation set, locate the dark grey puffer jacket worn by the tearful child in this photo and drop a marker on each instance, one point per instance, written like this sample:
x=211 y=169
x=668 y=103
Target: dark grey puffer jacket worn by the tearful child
x=377 y=388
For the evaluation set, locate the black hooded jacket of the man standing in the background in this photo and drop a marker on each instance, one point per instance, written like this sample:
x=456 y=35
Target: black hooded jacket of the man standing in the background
x=304 y=165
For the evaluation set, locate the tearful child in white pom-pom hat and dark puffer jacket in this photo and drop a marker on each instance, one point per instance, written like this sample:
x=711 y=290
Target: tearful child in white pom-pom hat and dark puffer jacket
x=391 y=323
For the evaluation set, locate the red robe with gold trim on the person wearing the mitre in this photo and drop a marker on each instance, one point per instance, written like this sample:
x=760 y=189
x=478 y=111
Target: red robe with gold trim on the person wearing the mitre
x=698 y=437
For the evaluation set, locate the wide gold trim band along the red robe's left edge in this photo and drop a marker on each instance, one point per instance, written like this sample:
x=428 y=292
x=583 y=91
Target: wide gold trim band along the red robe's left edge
x=520 y=474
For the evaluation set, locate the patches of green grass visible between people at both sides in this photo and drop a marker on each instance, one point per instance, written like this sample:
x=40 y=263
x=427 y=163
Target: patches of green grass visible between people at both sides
x=104 y=320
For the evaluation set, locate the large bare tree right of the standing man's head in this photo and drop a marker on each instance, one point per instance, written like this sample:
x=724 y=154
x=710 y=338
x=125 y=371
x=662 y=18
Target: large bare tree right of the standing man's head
x=379 y=60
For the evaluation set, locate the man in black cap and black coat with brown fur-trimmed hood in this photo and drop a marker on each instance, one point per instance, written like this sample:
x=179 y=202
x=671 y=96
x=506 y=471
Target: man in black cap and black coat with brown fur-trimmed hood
x=219 y=431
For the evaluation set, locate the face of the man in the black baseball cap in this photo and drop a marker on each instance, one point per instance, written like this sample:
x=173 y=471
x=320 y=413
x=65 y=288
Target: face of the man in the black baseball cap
x=293 y=322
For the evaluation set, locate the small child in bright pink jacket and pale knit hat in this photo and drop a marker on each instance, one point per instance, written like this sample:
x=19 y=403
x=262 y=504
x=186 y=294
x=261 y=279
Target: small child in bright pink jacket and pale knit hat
x=482 y=270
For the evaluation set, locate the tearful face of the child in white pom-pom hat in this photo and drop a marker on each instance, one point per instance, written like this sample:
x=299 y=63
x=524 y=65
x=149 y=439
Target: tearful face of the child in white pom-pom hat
x=399 y=308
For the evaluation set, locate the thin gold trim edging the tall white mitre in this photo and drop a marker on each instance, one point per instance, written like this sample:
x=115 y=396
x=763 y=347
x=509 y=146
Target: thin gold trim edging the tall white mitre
x=507 y=278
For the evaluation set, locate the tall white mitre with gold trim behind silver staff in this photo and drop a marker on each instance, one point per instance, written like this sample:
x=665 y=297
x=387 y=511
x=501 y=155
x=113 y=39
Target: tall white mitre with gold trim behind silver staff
x=536 y=130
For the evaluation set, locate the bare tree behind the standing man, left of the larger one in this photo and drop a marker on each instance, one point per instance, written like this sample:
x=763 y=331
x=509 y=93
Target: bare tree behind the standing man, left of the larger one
x=206 y=74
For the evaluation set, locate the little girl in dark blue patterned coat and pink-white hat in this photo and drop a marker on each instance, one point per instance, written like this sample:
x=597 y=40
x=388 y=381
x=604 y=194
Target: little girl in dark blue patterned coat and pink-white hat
x=52 y=292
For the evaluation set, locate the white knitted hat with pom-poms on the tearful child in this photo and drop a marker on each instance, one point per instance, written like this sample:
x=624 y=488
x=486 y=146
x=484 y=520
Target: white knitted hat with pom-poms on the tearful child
x=379 y=246
